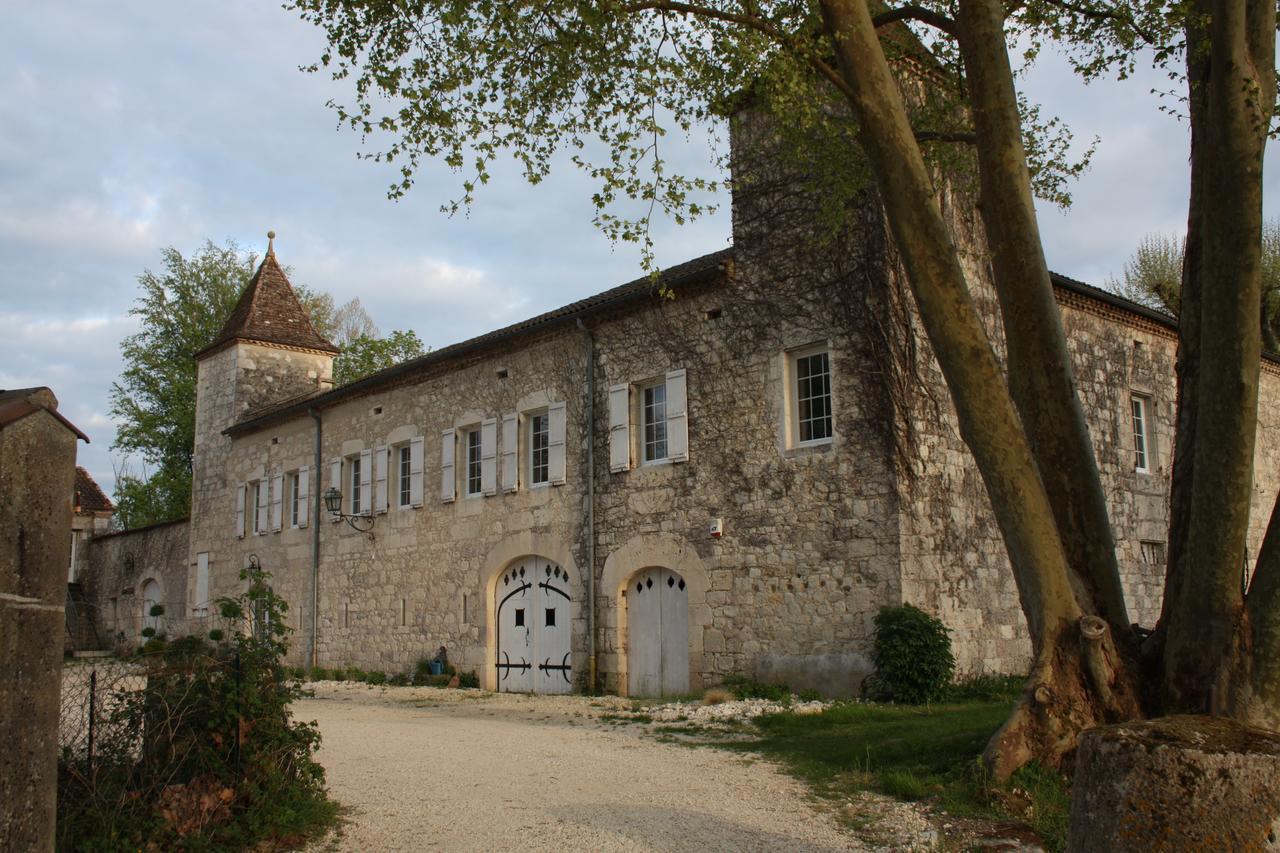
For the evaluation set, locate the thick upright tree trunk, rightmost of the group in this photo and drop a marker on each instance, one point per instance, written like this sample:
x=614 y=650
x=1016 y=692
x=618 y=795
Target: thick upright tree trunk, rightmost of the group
x=1206 y=640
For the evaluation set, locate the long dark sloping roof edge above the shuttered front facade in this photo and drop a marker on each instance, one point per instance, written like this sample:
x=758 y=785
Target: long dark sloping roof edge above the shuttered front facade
x=698 y=271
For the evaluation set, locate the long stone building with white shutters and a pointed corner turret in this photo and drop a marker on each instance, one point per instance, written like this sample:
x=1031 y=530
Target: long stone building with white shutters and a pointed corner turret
x=650 y=494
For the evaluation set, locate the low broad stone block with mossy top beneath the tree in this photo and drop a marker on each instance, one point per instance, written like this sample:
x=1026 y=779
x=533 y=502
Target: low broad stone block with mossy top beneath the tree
x=1177 y=784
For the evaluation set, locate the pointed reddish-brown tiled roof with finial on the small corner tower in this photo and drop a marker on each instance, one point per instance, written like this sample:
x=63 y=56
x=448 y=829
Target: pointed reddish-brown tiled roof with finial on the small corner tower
x=269 y=312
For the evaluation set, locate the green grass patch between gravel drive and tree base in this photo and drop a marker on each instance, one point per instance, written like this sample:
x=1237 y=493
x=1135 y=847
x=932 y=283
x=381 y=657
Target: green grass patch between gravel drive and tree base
x=915 y=752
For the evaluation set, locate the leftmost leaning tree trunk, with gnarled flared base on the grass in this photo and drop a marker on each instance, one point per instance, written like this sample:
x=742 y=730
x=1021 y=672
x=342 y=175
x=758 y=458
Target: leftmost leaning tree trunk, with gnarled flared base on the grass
x=1059 y=701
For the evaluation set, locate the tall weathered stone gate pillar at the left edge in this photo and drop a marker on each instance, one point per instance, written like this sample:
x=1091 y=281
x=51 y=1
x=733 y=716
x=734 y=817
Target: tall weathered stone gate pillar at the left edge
x=38 y=471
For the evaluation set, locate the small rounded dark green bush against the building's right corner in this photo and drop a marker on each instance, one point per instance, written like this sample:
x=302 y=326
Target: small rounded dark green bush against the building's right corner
x=913 y=658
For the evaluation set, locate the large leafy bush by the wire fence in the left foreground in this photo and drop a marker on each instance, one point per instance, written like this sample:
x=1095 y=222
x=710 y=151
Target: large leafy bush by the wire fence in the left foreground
x=205 y=755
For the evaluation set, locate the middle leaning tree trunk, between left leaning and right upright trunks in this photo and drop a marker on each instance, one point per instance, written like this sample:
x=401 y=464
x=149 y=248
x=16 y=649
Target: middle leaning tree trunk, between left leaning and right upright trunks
x=1040 y=366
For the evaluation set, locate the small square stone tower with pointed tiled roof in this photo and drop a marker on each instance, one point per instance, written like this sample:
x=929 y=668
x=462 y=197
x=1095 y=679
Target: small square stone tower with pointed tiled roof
x=267 y=354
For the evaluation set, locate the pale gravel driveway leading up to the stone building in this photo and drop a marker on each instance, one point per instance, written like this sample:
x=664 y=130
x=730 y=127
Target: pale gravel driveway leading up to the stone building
x=463 y=770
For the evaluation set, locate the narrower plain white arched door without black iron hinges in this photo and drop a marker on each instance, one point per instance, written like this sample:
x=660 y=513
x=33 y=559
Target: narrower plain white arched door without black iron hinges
x=657 y=633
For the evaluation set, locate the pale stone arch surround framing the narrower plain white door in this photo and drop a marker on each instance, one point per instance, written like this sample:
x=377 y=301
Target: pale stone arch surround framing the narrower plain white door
x=651 y=551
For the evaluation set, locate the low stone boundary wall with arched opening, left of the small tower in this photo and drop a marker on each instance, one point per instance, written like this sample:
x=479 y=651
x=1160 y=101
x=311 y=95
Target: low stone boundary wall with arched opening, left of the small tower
x=120 y=565
